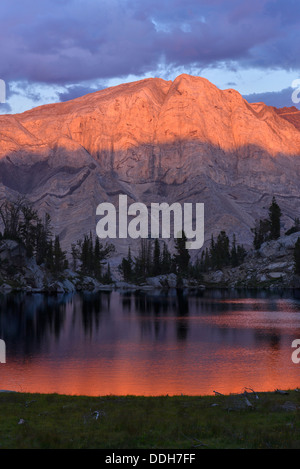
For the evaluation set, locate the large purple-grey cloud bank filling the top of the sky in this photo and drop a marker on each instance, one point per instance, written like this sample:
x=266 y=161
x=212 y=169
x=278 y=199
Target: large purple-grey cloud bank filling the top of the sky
x=67 y=41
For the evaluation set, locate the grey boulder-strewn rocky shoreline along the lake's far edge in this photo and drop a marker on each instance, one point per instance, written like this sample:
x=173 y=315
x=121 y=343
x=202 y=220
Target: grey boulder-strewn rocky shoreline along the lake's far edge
x=270 y=268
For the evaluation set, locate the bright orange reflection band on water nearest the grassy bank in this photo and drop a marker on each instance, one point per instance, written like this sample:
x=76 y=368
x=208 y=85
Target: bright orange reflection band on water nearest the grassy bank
x=229 y=373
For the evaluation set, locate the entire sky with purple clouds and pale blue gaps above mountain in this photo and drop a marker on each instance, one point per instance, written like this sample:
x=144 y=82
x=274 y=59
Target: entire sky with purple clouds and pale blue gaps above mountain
x=56 y=50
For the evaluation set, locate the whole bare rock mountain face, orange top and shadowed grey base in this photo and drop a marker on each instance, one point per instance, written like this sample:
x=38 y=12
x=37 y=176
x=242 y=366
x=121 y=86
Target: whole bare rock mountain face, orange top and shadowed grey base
x=154 y=140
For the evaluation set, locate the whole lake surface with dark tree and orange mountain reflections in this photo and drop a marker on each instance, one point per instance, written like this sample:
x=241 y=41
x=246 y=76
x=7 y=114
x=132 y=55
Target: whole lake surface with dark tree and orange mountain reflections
x=149 y=343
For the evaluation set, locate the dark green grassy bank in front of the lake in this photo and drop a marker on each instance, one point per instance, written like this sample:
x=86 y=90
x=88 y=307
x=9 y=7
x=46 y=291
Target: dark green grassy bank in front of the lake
x=181 y=422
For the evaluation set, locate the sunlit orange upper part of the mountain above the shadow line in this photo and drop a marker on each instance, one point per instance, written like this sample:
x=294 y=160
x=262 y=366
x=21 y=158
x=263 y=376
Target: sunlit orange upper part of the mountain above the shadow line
x=154 y=111
